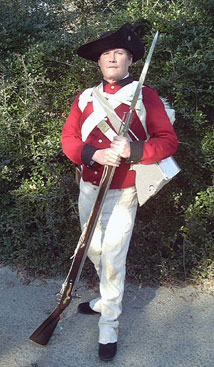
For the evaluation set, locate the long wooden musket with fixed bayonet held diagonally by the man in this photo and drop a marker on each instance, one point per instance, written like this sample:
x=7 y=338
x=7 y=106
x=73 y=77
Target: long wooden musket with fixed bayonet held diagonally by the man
x=44 y=332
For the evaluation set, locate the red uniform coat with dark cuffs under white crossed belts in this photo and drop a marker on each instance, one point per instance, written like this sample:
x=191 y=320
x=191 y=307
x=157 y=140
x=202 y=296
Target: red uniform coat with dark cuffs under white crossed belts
x=162 y=142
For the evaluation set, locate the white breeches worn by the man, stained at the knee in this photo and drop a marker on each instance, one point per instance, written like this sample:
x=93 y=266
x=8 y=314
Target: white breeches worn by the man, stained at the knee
x=108 y=250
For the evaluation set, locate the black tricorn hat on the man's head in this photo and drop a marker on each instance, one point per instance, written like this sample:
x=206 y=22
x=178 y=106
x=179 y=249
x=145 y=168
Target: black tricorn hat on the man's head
x=124 y=37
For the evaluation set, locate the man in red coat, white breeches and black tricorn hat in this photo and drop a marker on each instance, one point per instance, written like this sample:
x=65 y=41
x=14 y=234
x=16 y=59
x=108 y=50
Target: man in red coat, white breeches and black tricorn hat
x=89 y=139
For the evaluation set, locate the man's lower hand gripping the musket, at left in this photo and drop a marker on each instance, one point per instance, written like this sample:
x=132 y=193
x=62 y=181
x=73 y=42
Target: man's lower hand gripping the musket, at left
x=107 y=156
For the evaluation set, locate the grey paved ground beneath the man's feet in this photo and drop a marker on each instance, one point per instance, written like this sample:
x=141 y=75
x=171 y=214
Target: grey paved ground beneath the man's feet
x=159 y=327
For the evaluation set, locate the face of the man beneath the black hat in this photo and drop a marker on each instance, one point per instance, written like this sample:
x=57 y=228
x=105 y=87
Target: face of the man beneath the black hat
x=114 y=64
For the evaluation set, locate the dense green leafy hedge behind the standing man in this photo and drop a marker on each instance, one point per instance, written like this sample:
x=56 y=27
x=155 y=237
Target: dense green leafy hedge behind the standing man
x=40 y=76
